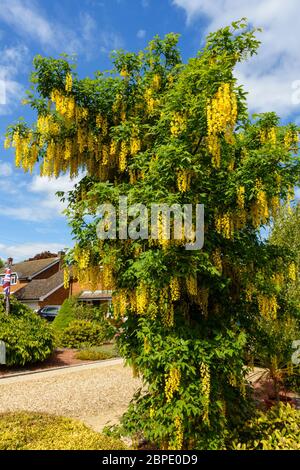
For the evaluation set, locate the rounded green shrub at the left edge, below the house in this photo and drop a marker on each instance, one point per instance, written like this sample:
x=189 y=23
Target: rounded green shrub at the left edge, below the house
x=28 y=338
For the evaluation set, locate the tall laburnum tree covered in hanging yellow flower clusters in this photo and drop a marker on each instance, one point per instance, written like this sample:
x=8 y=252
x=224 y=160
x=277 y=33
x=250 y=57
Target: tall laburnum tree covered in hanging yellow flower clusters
x=158 y=130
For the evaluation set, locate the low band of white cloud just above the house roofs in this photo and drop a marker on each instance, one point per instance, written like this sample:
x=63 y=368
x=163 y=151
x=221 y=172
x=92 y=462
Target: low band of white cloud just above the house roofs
x=26 y=250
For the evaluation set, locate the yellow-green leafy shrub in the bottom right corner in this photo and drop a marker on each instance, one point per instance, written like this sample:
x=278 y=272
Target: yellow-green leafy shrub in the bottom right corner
x=276 y=429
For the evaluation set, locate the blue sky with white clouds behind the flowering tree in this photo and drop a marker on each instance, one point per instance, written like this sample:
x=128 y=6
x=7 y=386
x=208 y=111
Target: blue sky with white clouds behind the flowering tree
x=30 y=214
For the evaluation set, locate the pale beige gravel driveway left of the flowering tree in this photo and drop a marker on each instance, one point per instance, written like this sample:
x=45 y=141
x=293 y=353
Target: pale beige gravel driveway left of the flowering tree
x=97 y=394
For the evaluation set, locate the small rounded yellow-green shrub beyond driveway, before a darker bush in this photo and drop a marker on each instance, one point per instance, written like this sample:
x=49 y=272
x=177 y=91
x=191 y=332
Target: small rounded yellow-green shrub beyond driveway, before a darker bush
x=82 y=333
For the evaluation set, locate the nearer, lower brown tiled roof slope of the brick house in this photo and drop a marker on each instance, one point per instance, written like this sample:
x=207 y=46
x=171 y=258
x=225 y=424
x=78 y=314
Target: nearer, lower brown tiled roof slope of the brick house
x=38 y=288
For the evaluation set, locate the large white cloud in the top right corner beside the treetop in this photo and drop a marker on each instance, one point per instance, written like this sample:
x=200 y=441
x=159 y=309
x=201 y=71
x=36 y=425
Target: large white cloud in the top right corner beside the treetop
x=269 y=76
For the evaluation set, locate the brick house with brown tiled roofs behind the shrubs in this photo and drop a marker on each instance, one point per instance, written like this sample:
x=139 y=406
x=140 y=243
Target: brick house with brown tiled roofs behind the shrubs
x=38 y=283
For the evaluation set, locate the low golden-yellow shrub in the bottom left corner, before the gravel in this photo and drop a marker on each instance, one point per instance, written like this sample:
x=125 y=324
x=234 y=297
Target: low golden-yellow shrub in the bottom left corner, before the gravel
x=36 y=431
